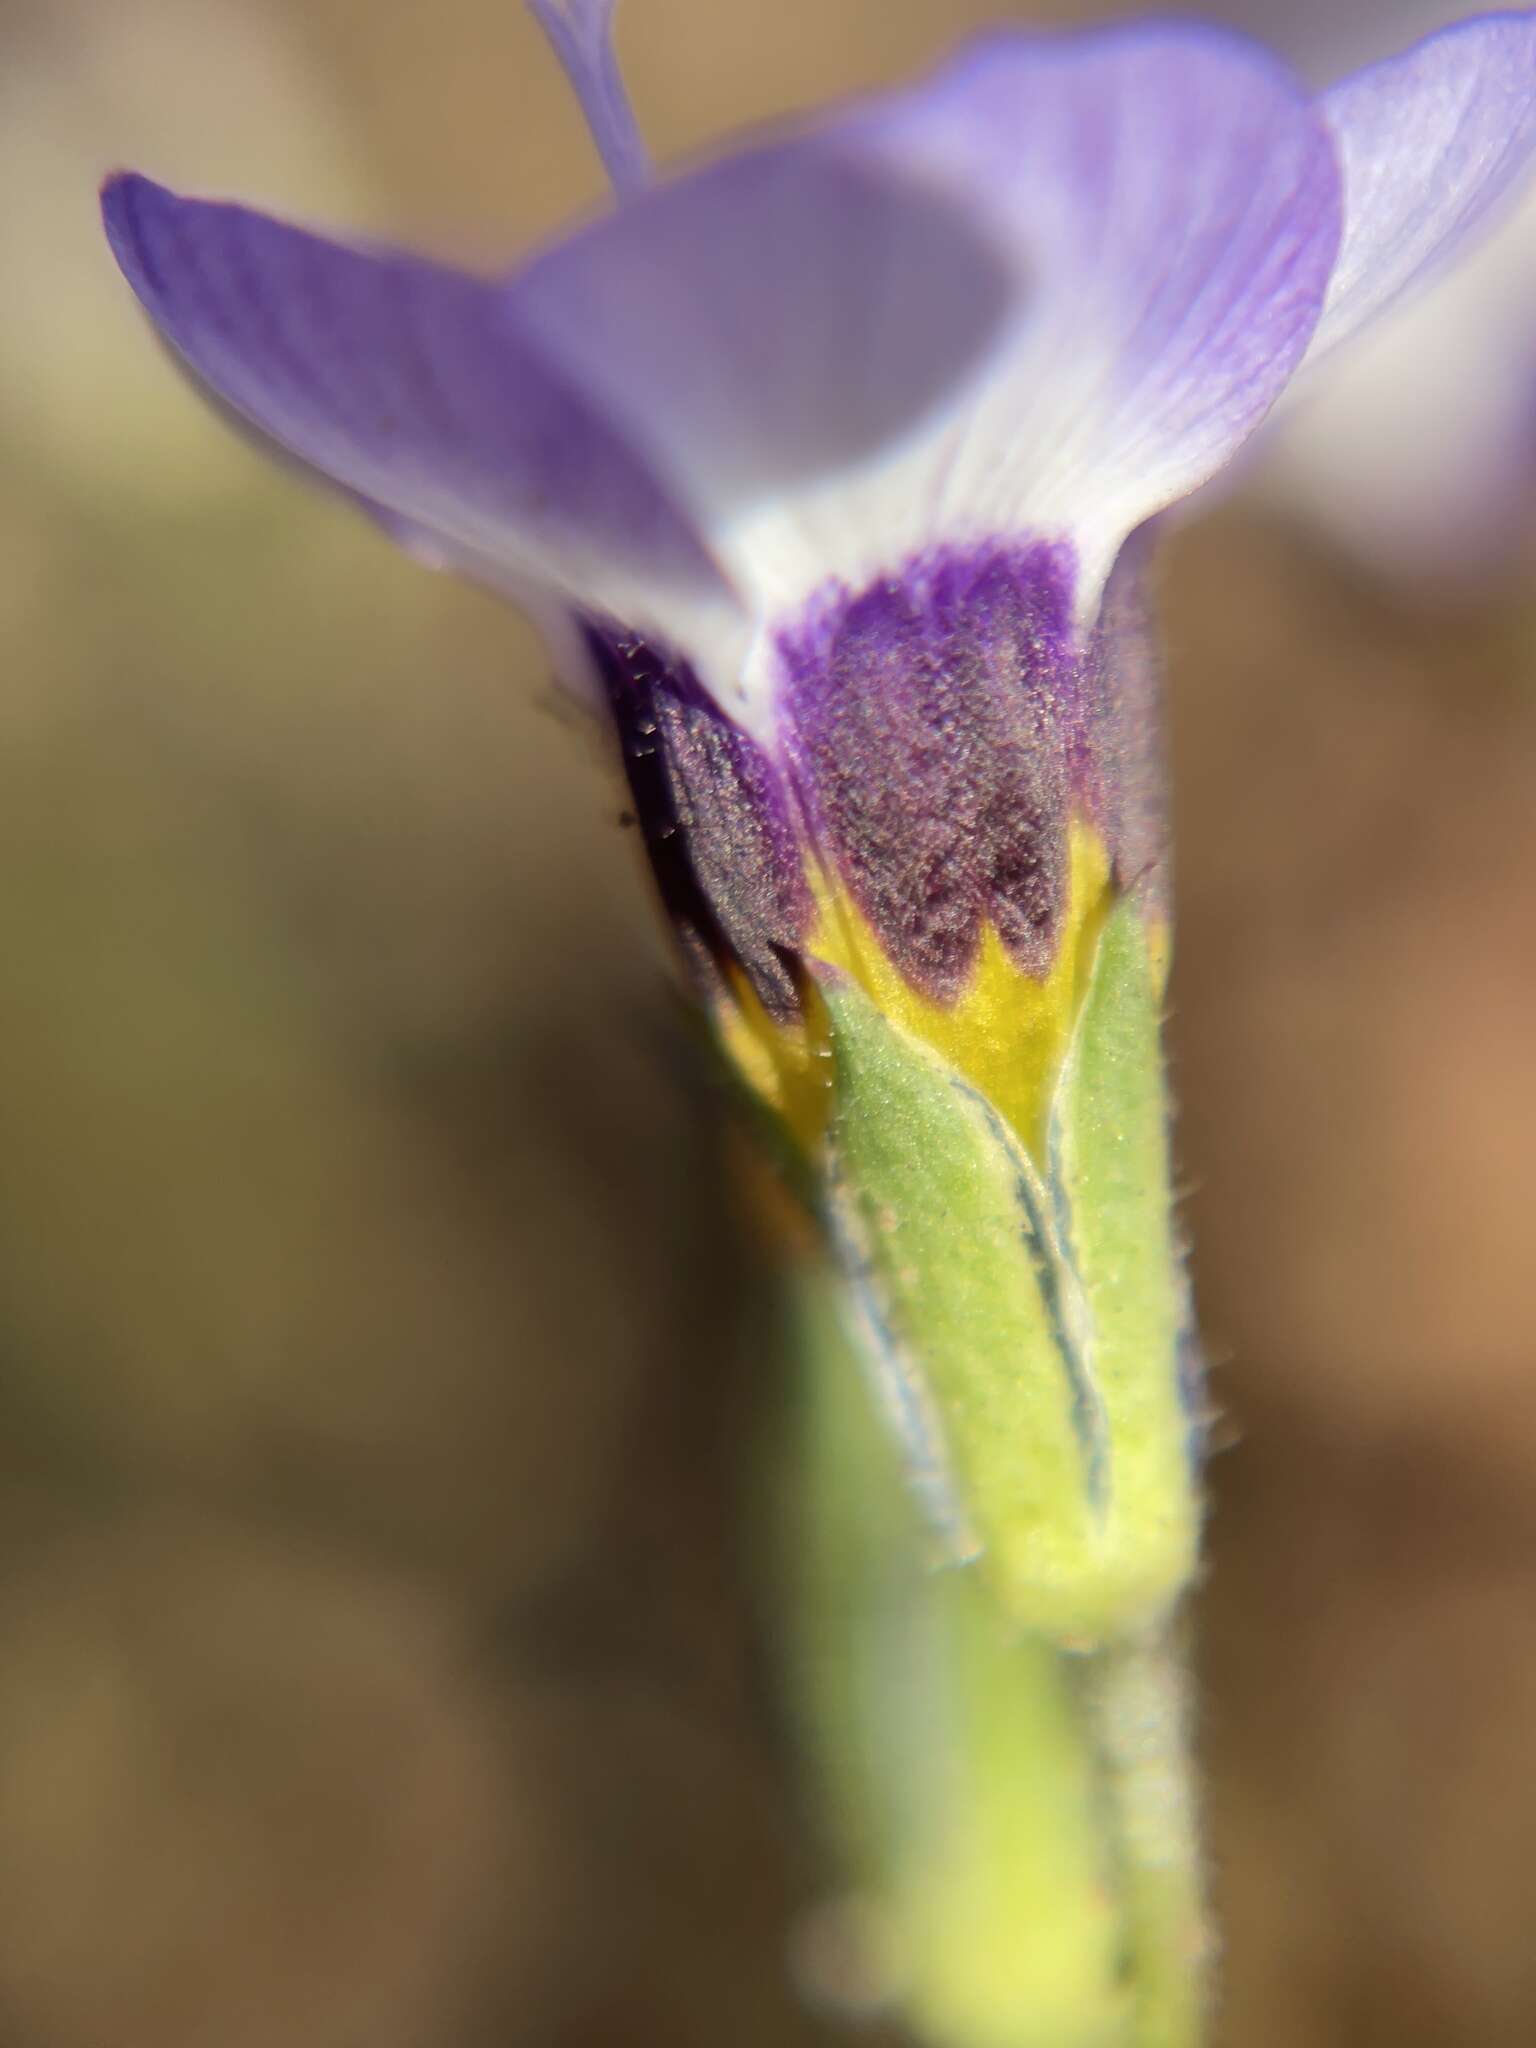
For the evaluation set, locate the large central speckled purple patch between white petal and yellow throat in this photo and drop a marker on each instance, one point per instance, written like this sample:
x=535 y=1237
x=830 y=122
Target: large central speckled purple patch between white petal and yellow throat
x=943 y=728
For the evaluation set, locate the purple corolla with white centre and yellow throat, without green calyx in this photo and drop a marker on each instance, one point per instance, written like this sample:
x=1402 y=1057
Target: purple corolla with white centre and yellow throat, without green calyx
x=820 y=464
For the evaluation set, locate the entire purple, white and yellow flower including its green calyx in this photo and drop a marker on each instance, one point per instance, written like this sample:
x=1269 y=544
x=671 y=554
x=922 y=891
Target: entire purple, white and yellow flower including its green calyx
x=826 y=464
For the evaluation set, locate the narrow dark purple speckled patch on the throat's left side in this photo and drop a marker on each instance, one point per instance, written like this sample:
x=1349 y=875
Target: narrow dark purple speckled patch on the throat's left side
x=716 y=818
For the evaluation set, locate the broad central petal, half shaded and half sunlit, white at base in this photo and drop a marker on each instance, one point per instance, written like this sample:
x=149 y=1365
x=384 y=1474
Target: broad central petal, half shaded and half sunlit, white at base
x=1041 y=296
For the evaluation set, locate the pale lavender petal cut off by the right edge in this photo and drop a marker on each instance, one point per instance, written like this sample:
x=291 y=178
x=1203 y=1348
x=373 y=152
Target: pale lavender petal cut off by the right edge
x=1428 y=142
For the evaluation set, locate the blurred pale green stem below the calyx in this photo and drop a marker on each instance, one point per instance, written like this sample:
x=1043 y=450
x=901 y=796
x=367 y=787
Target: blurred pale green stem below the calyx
x=1021 y=1820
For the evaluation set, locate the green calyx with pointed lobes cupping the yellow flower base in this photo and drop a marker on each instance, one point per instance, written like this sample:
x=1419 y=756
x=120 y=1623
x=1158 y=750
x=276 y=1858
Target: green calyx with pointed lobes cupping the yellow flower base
x=1025 y=1326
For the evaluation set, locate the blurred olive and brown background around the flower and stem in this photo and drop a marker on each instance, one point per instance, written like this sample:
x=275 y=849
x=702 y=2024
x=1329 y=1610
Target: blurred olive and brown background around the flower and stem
x=382 y=1650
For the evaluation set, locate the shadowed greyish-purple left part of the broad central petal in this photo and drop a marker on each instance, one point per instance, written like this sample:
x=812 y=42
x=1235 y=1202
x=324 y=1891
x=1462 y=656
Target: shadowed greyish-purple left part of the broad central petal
x=769 y=329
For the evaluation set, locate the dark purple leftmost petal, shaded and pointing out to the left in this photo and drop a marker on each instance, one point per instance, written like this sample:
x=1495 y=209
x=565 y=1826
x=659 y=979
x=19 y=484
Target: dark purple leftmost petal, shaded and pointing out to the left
x=411 y=386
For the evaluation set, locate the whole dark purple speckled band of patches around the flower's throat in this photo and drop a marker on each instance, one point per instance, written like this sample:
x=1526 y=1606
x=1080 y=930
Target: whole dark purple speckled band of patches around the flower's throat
x=939 y=734
